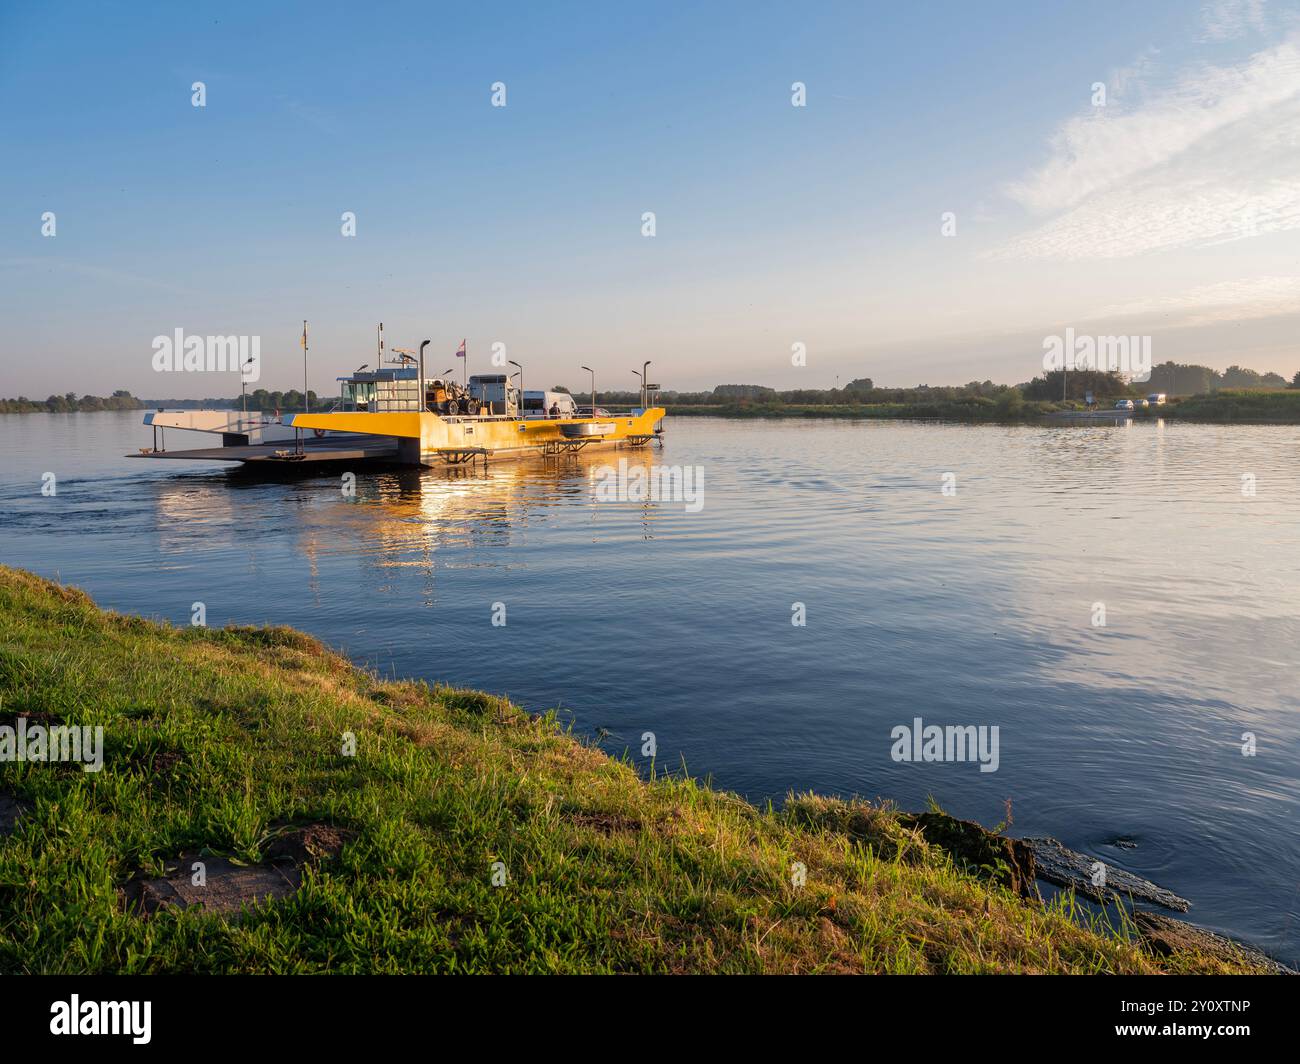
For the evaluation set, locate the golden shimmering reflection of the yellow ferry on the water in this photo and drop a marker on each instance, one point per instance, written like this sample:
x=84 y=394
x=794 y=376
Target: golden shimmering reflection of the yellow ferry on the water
x=401 y=518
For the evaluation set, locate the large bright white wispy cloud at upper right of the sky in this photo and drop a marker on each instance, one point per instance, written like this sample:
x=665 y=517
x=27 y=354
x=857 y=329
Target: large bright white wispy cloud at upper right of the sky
x=1215 y=158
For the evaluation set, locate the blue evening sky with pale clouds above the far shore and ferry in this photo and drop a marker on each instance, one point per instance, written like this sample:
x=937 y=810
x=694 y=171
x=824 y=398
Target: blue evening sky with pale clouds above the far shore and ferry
x=1172 y=211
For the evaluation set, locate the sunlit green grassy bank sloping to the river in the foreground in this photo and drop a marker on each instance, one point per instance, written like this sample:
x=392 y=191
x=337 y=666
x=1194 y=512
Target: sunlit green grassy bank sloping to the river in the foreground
x=218 y=743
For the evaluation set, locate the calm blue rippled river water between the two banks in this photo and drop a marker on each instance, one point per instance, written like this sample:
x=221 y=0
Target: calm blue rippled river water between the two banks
x=968 y=609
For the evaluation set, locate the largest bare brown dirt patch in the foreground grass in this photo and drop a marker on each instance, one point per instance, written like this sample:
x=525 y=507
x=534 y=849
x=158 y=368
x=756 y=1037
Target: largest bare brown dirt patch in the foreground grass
x=218 y=885
